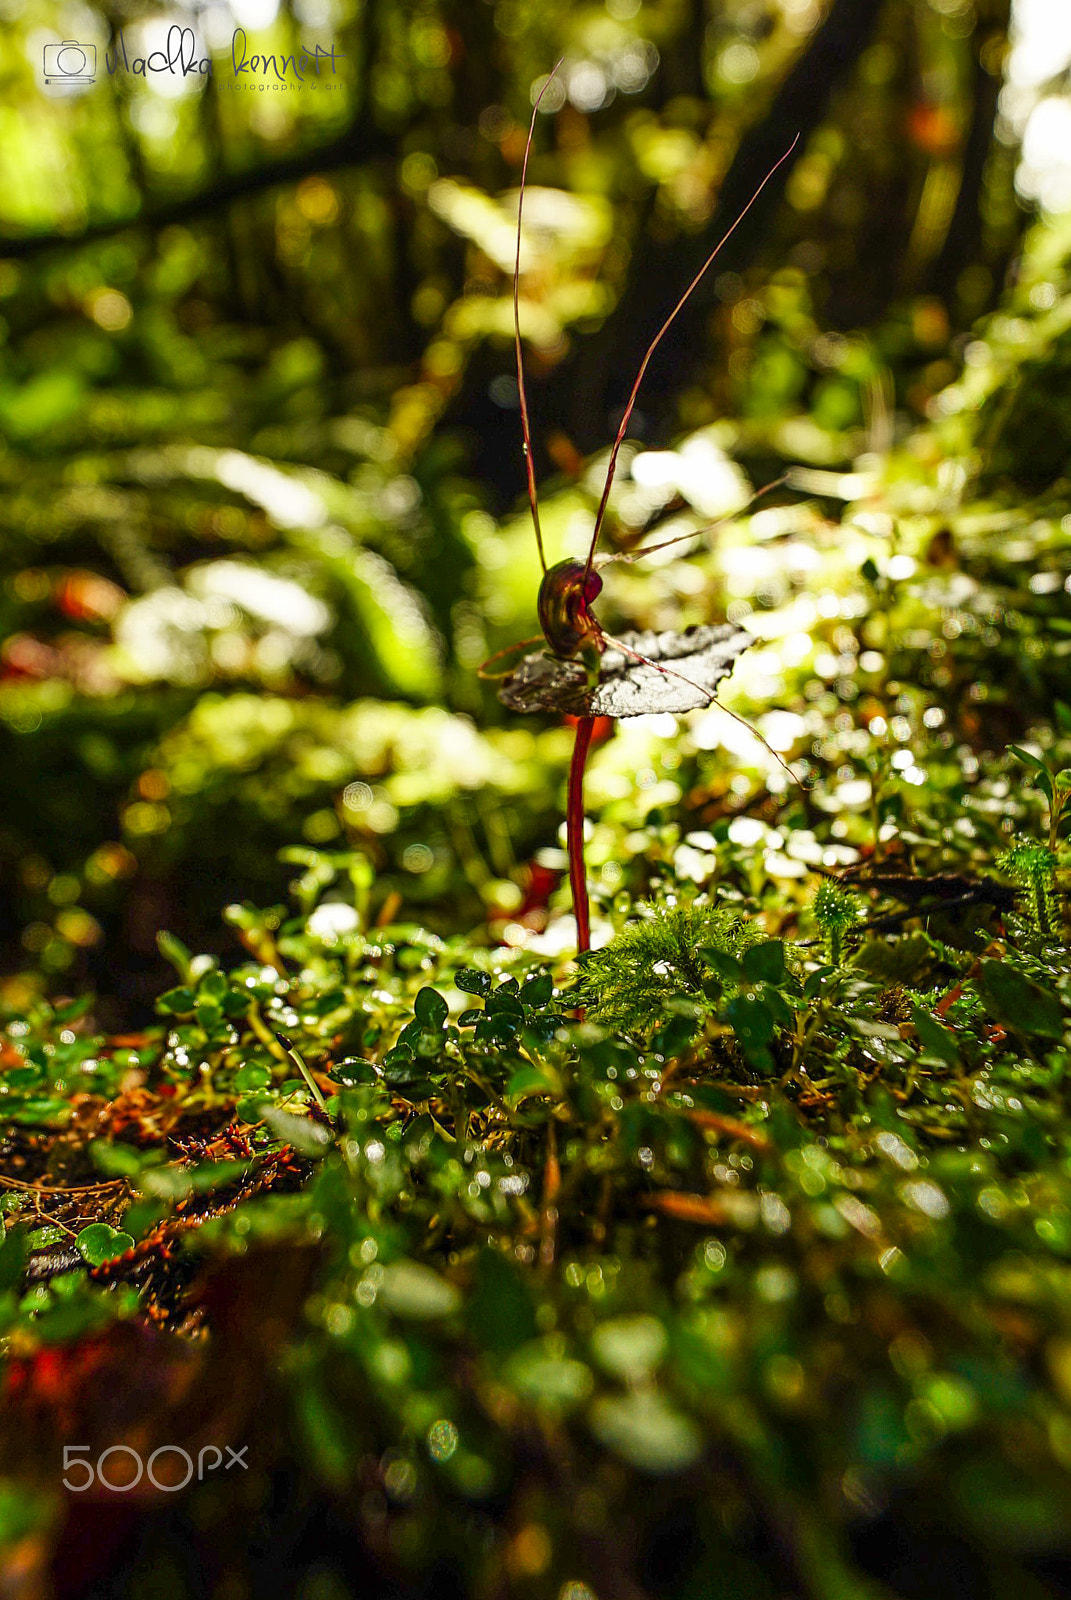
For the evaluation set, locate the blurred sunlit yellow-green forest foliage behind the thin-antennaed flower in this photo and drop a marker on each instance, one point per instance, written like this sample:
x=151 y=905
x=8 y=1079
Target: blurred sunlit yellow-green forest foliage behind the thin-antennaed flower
x=260 y=423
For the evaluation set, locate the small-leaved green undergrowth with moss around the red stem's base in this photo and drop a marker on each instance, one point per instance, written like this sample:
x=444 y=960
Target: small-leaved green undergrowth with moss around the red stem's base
x=779 y=1233
